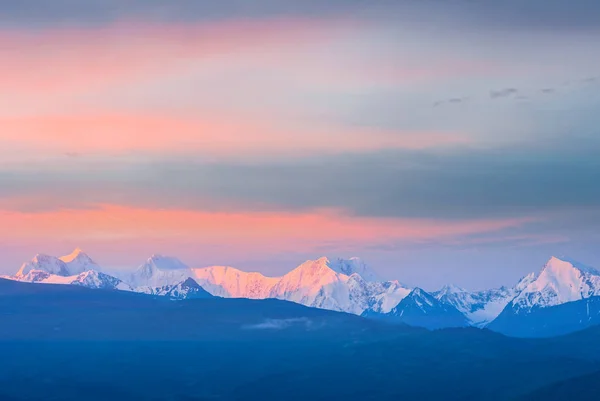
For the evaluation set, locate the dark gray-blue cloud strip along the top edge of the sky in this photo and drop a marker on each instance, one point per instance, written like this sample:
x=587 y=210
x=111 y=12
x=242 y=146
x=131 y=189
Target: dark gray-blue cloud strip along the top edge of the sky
x=554 y=15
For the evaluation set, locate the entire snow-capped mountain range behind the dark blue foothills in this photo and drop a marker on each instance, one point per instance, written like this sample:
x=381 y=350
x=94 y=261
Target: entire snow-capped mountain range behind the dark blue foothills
x=349 y=285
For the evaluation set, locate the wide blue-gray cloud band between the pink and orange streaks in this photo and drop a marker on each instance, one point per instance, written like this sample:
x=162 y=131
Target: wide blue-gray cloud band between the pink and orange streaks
x=457 y=184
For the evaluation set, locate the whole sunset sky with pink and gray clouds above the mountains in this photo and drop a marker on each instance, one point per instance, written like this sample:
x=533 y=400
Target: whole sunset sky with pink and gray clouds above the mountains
x=440 y=141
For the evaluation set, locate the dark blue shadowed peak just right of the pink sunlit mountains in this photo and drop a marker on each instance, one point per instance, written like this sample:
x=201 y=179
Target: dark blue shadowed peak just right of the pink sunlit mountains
x=422 y=309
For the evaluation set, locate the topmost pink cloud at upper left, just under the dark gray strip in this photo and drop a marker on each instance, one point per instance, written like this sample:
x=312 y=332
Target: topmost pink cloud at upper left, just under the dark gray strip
x=60 y=60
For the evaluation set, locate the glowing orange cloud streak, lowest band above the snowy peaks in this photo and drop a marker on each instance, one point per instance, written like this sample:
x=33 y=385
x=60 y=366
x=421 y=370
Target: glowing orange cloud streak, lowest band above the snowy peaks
x=276 y=231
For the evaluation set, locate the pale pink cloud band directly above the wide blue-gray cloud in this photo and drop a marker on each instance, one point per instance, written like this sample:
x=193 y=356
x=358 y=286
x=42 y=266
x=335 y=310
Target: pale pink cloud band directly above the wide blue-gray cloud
x=118 y=134
